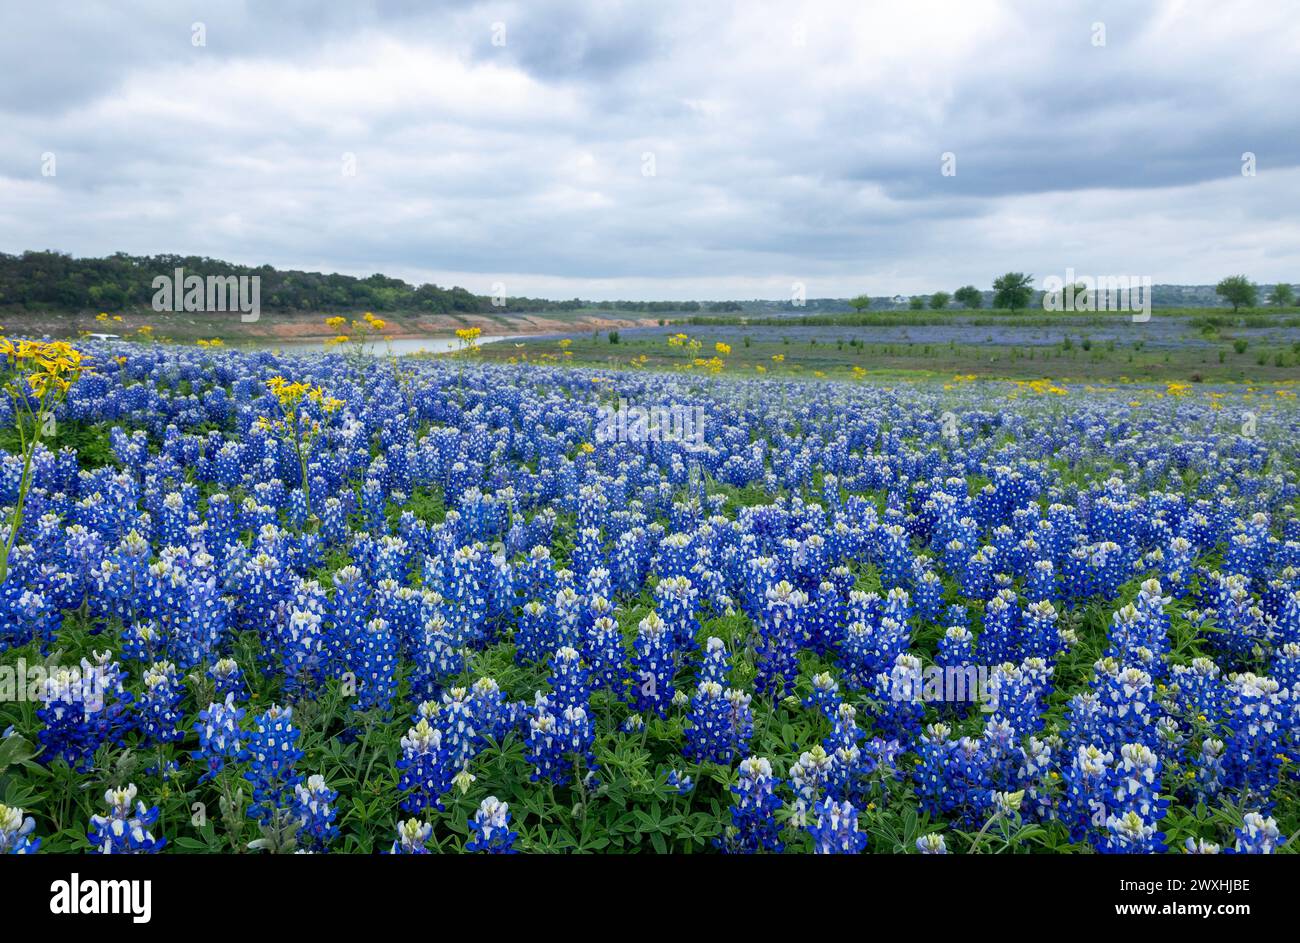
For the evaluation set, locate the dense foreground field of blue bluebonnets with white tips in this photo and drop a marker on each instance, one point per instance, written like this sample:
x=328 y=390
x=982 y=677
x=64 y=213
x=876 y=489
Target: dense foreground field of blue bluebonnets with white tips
x=336 y=604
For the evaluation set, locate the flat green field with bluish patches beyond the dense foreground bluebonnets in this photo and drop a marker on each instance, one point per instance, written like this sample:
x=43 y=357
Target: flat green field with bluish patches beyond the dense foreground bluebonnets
x=1087 y=351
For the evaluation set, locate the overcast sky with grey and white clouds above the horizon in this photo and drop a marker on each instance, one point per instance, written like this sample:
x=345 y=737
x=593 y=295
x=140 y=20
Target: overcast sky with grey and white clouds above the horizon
x=660 y=150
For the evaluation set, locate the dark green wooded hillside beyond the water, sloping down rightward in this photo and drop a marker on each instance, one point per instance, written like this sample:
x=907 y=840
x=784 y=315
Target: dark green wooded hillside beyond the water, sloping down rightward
x=55 y=280
